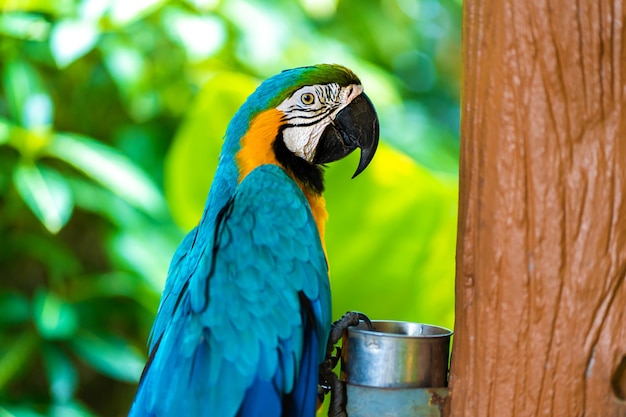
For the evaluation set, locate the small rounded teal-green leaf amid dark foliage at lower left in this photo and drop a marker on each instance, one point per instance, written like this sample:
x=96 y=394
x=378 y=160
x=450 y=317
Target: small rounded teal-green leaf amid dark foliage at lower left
x=55 y=318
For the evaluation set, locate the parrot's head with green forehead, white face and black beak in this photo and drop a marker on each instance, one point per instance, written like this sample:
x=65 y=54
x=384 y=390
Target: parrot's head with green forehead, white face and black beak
x=303 y=118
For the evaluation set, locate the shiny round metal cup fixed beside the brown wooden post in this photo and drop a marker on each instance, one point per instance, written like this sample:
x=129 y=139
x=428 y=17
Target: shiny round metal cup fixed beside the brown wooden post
x=396 y=354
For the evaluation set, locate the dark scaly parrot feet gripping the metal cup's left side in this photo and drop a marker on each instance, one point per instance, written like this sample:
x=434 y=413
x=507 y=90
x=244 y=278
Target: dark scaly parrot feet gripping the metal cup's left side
x=328 y=379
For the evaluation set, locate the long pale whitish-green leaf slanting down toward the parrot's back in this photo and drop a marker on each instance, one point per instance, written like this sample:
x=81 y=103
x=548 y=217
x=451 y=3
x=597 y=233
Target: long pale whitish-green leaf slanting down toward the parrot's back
x=111 y=169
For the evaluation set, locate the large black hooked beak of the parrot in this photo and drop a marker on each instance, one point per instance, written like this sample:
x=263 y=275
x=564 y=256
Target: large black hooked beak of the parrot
x=355 y=126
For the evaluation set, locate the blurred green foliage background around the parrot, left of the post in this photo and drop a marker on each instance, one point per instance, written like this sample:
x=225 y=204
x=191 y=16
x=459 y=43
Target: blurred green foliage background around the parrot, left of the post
x=112 y=114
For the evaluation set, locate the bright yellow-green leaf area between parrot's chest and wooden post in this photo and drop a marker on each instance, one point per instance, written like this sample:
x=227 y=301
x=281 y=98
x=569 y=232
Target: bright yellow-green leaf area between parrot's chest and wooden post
x=391 y=239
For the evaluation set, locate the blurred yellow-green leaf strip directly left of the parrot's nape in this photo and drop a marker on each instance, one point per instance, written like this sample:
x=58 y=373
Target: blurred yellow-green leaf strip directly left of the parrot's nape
x=192 y=159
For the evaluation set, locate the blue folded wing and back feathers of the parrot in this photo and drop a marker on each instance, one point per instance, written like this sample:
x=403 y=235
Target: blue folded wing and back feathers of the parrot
x=232 y=336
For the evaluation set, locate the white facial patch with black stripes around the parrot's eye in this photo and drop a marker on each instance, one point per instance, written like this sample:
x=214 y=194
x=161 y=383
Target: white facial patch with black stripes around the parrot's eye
x=309 y=111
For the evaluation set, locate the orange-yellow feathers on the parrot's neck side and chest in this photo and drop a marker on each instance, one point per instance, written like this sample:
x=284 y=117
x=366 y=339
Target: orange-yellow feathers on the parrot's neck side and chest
x=256 y=150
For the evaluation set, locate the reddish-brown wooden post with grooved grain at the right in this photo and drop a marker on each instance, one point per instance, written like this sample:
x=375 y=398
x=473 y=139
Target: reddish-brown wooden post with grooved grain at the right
x=541 y=253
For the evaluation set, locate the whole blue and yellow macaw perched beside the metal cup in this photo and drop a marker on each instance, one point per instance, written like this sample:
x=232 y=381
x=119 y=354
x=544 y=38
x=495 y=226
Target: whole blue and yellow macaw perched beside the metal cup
x=245 y=315
